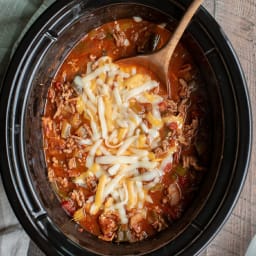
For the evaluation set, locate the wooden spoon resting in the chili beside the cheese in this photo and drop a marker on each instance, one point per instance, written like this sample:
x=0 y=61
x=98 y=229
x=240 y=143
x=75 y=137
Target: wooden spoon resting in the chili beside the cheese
x=159 y=61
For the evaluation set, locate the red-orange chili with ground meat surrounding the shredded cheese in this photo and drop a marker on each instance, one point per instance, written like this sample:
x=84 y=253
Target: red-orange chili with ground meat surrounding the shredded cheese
x=63 y=123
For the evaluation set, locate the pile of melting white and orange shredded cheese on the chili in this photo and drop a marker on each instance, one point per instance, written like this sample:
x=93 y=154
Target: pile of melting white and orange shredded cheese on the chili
x=122 y=139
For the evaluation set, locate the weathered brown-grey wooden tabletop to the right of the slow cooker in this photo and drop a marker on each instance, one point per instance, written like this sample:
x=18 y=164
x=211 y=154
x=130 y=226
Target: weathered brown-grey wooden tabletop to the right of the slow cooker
x=238 y=20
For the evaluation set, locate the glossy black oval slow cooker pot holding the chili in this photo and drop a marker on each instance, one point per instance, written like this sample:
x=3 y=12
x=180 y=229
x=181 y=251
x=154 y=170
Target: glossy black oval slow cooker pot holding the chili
x=22 y=101
